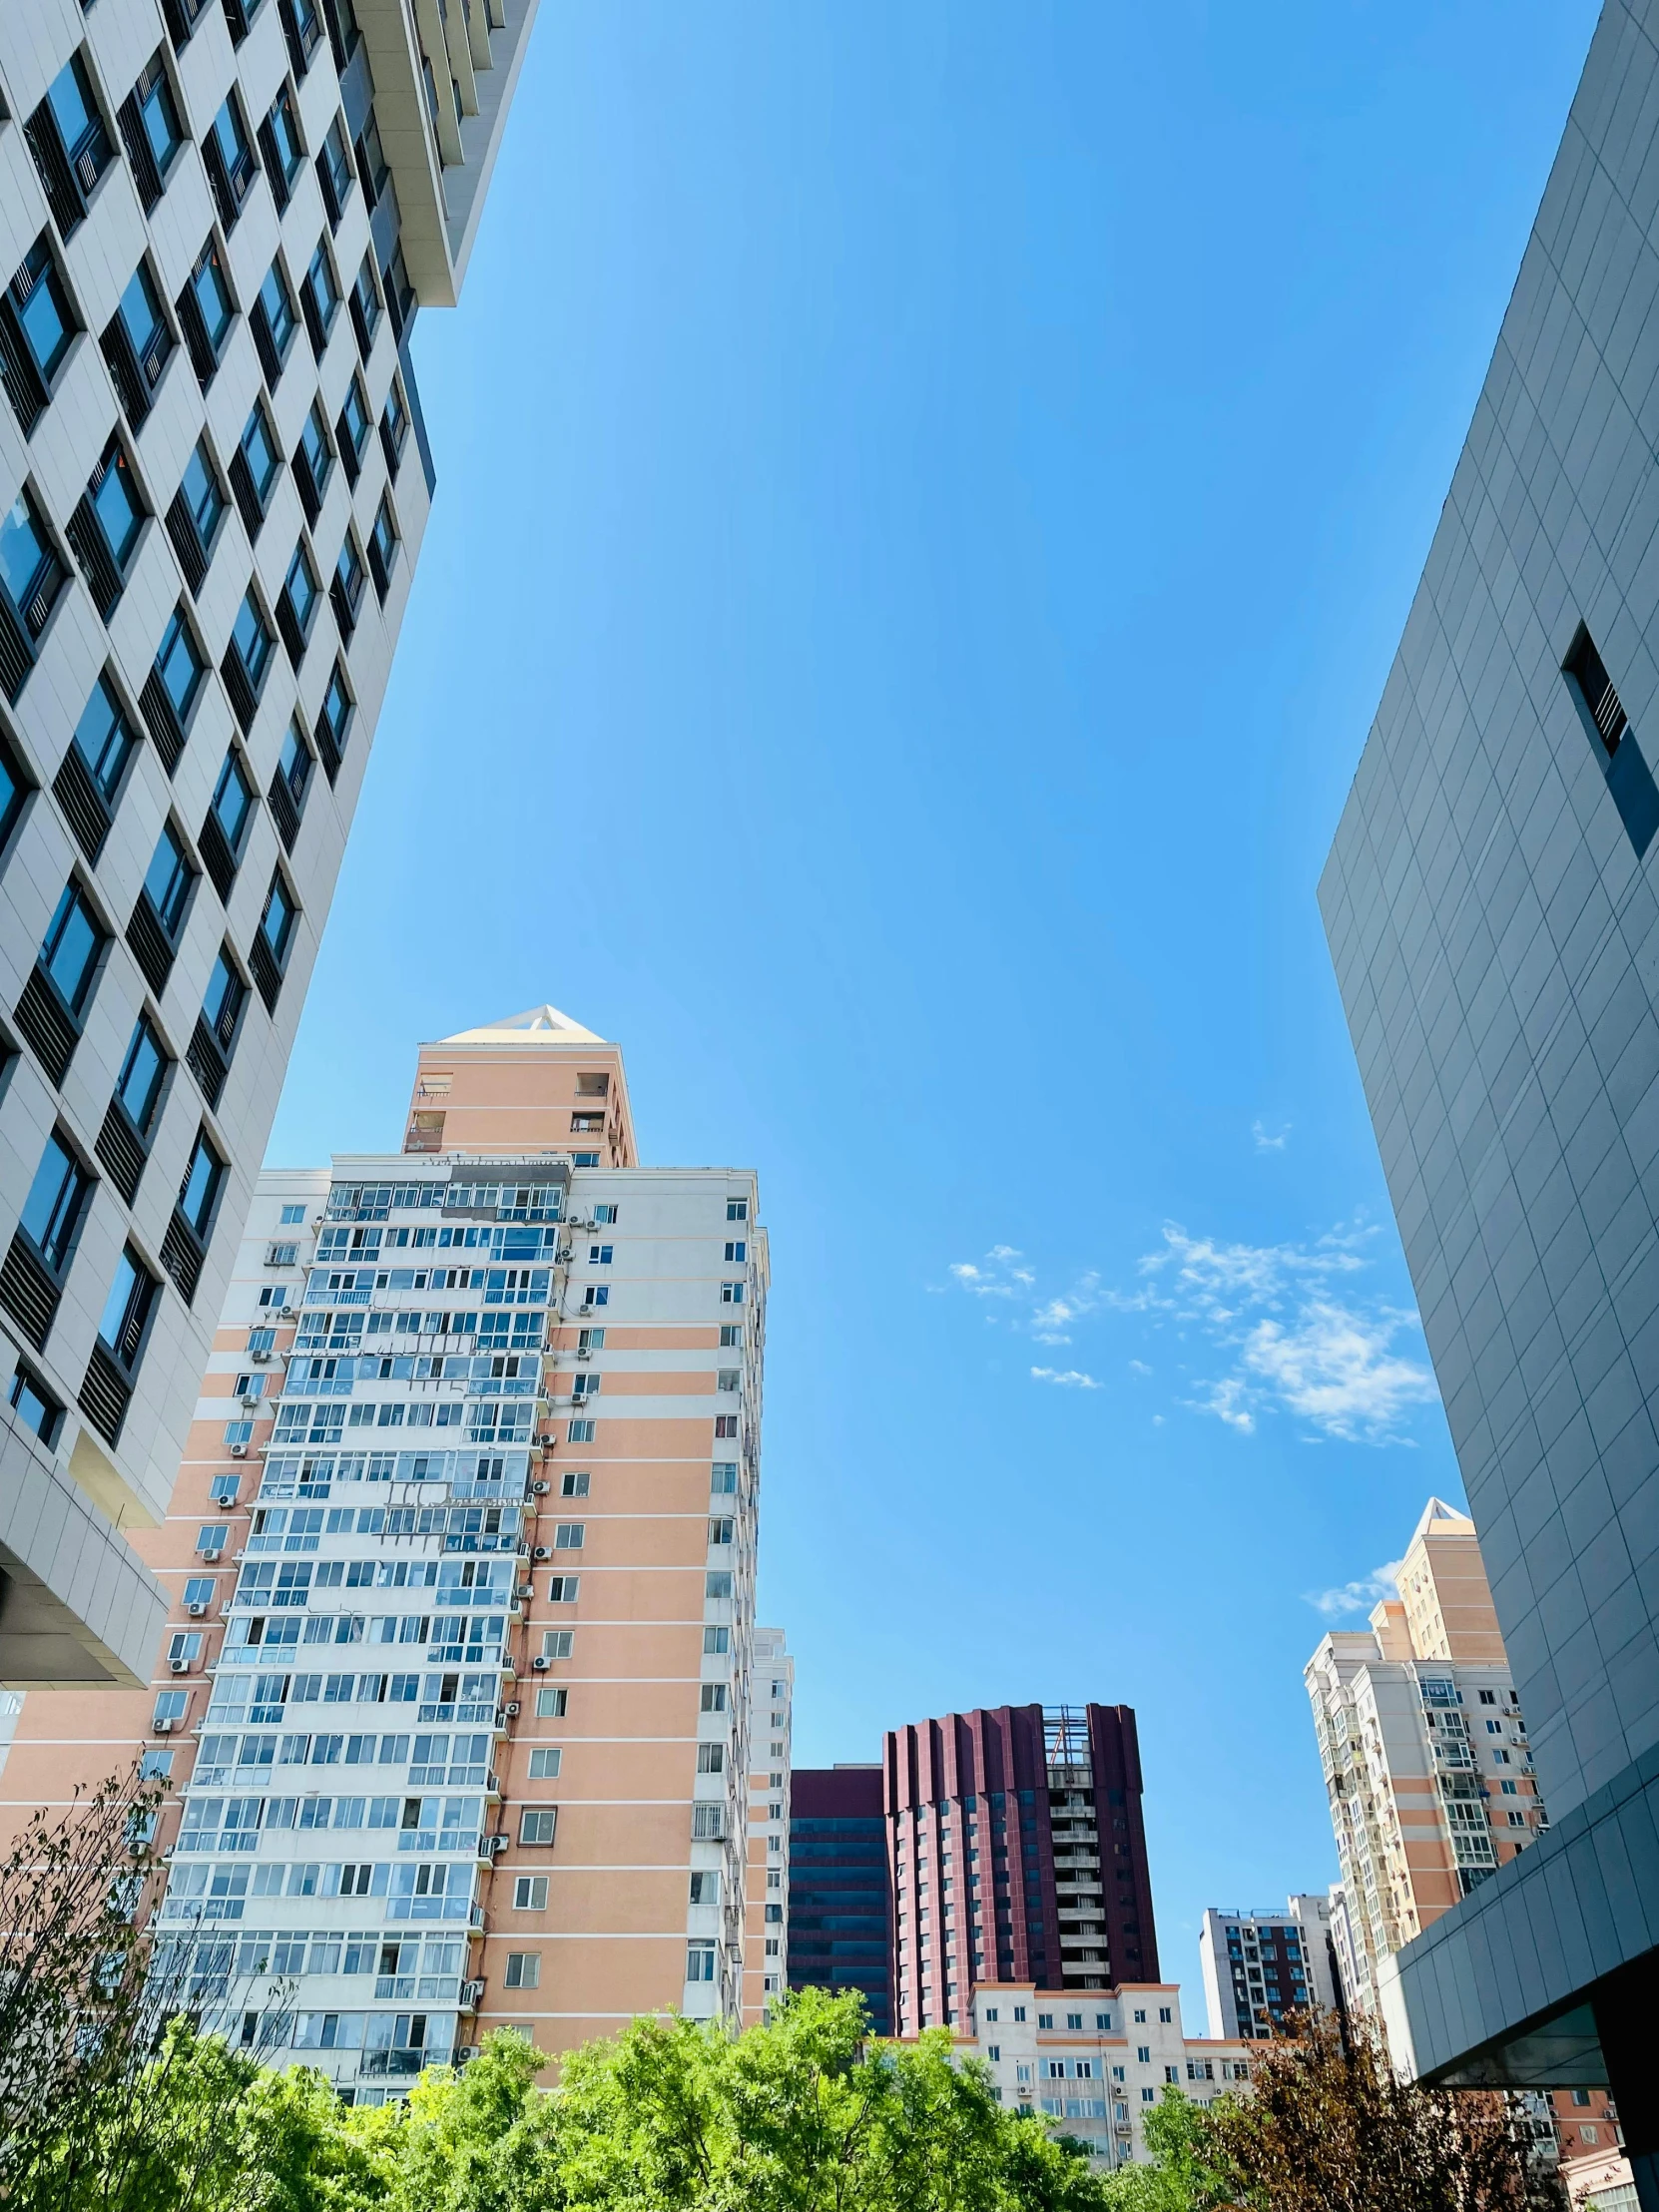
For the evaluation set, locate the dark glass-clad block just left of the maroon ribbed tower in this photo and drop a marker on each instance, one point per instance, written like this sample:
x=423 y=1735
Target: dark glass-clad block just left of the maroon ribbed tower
x=842 y=1901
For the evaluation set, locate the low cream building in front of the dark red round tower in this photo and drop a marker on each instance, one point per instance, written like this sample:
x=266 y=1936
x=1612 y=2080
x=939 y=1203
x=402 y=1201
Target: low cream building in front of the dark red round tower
x=1098 y=2060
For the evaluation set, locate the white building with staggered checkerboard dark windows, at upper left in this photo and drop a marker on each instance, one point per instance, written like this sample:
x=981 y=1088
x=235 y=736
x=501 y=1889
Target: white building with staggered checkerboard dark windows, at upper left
x=218 y=220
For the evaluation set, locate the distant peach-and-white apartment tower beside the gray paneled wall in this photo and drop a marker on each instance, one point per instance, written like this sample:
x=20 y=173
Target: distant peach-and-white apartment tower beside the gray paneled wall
x=1426 y=1749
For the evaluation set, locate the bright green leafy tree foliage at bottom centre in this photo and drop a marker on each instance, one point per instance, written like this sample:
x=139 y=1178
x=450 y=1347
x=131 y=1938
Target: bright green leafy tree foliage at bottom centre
x=678 y=2116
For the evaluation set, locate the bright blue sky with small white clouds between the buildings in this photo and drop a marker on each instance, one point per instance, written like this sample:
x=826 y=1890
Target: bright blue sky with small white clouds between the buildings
x=928 y=501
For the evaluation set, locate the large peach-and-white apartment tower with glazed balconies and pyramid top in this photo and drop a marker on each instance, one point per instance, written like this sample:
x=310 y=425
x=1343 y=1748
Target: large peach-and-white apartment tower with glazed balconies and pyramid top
x=461 y=1718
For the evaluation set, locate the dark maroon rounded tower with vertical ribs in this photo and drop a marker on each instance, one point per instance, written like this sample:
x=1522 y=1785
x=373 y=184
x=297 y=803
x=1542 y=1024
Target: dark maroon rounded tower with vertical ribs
x=1019 y=1855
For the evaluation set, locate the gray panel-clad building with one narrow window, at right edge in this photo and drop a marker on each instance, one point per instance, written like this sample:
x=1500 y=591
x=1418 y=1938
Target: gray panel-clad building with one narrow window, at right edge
x=1492 y=906
